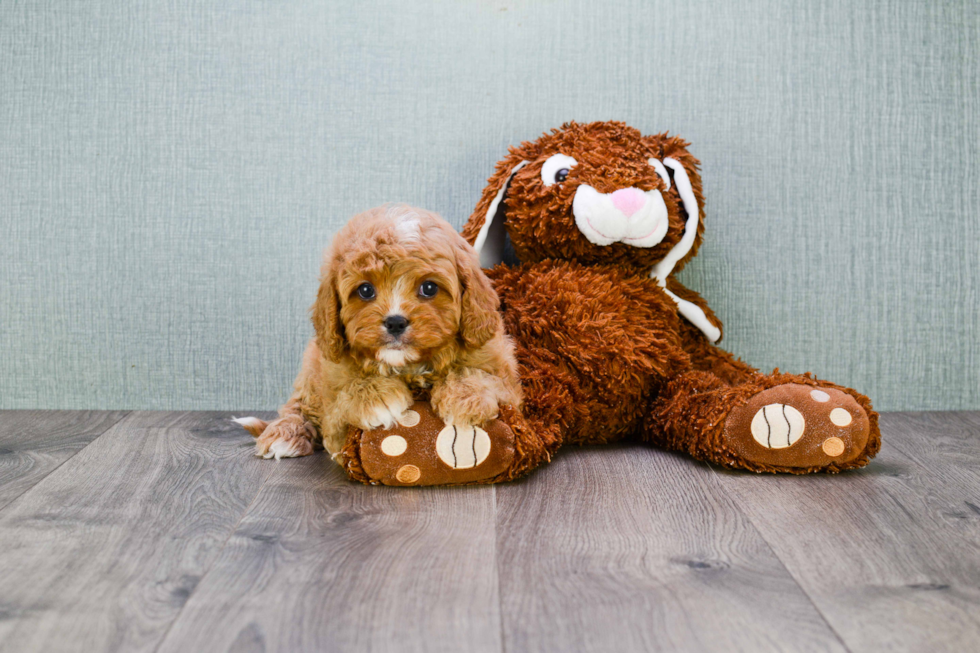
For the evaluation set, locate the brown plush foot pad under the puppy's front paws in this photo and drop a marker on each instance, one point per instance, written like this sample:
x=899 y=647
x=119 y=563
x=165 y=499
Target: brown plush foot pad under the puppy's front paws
x=423 y=450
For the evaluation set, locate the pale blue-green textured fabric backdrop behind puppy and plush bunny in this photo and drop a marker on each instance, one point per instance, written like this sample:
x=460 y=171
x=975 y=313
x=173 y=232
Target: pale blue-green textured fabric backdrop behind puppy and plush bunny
x=171 y=171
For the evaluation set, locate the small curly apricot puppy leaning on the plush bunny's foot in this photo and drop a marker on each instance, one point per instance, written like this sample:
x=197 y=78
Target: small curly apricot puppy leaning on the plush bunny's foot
x=403 y=306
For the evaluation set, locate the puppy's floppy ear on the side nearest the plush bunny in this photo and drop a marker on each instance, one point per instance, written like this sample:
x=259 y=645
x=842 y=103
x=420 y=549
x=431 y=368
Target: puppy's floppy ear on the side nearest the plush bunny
x=480 y=318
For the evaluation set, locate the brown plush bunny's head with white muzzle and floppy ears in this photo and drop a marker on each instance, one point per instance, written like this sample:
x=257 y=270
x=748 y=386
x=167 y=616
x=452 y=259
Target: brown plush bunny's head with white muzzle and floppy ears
x=596 y=193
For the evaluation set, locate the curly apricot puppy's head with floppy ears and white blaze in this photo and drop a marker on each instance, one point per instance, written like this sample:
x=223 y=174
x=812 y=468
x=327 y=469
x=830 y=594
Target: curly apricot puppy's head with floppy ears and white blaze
x=400 y=286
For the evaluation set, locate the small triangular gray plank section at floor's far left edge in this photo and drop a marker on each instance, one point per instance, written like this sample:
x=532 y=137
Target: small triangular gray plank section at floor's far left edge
x=33 y=443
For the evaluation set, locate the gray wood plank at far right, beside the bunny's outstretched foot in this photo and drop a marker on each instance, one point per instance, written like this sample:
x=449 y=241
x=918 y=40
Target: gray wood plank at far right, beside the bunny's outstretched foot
x=889 y=554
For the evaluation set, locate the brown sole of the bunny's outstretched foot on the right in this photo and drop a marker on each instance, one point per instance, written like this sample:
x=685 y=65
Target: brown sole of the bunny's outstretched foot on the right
x=795 y=426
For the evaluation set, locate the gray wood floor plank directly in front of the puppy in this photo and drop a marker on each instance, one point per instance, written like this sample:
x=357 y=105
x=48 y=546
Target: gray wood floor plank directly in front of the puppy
x=323 y=564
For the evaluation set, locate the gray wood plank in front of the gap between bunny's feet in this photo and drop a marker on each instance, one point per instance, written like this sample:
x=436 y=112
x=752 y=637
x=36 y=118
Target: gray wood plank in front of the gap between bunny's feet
x=629 y=548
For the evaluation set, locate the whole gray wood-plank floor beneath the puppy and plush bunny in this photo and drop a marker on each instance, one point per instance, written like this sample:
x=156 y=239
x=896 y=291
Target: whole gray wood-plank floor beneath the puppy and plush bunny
x=161 y=531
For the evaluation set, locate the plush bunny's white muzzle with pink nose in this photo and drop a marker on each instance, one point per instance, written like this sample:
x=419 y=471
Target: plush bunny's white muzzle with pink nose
x=629 y=216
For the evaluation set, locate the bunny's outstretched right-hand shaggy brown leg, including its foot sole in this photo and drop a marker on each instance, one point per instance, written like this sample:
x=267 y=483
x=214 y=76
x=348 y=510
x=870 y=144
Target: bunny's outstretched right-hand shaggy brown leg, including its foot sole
x=726 y=413
